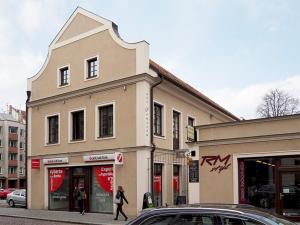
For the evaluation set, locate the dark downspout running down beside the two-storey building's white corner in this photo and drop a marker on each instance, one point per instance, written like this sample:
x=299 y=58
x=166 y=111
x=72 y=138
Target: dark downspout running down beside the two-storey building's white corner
x=152 y=135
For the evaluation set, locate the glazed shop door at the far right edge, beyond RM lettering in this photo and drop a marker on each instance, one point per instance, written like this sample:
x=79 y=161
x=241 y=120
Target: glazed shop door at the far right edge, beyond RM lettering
x=290 y=194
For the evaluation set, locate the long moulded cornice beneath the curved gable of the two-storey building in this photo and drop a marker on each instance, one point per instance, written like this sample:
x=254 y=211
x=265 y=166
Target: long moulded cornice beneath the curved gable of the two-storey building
x=92 y=89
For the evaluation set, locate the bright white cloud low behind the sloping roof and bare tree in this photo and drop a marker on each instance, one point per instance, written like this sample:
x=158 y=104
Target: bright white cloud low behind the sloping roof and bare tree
x=243 y=102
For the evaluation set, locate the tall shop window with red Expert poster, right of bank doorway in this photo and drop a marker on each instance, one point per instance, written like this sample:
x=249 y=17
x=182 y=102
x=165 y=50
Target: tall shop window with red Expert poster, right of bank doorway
x=102 y=189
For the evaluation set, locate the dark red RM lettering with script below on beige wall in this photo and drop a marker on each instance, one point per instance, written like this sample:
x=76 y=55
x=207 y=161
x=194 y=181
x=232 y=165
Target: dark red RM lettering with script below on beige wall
x=216 y=162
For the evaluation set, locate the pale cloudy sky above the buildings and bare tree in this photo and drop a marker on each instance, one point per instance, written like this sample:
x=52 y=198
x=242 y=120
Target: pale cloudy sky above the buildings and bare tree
x=233 y=51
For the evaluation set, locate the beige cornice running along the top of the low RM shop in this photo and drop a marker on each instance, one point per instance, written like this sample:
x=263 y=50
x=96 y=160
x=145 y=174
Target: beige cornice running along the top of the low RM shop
x=243 y=140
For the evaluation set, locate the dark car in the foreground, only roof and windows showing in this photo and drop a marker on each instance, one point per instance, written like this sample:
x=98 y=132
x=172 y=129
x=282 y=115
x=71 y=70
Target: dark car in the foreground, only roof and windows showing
x=208 y=214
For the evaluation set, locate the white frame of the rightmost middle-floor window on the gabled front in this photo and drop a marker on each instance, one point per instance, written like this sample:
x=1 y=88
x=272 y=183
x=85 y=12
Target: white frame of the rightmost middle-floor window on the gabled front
x=97 y=131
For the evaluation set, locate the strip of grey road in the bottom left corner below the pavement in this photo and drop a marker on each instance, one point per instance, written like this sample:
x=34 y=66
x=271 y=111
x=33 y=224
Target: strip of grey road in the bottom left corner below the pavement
x=21 y=221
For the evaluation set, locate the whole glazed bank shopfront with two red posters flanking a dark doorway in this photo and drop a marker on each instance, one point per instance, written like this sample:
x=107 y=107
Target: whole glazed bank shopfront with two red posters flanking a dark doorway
x=96 y=180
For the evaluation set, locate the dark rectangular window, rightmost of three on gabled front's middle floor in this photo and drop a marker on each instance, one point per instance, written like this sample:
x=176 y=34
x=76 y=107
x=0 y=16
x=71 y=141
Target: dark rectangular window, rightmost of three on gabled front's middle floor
x=106 y=122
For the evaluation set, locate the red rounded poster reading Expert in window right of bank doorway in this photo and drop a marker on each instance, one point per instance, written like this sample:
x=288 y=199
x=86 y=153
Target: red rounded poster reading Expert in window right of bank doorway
x=105 y=177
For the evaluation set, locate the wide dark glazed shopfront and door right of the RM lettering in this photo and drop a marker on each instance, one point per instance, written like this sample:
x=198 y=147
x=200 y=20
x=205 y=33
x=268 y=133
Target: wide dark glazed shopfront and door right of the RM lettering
x=271 y=183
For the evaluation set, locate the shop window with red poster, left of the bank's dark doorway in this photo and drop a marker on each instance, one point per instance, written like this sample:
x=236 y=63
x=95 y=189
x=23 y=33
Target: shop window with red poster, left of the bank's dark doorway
x=58 y=179
